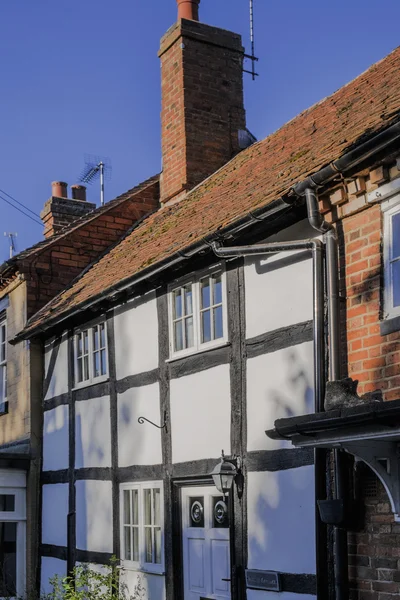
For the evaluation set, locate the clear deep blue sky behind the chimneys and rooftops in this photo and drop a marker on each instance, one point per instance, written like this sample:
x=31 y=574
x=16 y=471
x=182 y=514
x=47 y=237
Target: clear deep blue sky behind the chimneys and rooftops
x=82 y=76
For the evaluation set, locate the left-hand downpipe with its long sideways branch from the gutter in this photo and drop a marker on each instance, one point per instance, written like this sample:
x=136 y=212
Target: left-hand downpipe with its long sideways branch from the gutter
x=316 y=249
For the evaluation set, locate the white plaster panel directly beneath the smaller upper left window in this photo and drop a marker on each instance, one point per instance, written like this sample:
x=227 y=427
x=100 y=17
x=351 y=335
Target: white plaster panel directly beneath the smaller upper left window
x=93 y=433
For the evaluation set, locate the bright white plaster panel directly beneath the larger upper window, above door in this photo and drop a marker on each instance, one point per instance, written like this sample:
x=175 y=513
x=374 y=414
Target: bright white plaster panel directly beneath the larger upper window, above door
x=201 y=414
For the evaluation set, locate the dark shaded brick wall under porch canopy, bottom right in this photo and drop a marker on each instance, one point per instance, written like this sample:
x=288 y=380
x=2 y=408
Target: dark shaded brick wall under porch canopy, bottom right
x=374 y=552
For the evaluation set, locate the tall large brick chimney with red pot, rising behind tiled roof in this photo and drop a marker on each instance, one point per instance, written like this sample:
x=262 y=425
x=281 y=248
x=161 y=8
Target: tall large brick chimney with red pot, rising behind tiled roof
x=202 y=100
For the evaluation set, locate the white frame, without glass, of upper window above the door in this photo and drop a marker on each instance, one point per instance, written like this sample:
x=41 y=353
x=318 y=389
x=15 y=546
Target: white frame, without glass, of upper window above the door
x=194 y=279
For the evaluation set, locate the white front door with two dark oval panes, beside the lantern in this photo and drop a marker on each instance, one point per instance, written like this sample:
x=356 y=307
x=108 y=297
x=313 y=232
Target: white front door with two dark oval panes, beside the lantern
x=205 y=536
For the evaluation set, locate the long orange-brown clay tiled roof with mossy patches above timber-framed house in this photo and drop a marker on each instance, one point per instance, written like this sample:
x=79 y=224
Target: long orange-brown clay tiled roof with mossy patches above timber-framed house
x=254 y=178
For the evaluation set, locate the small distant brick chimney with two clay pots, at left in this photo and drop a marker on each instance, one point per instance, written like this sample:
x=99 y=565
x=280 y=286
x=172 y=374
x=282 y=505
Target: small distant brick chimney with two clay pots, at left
x=59 y=211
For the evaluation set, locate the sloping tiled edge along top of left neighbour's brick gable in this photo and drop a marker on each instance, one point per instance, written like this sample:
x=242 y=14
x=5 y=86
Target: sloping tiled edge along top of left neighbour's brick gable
x=82 y=220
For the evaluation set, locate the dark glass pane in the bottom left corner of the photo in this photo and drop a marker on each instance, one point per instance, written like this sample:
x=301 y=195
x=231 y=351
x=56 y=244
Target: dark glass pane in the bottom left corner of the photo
x=8 y=559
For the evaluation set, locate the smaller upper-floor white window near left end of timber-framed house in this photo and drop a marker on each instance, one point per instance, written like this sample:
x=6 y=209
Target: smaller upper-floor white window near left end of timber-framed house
x=91 y=356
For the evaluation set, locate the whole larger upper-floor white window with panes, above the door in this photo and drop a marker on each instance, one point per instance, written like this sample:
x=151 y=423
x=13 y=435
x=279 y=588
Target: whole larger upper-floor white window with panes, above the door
x=198 y=313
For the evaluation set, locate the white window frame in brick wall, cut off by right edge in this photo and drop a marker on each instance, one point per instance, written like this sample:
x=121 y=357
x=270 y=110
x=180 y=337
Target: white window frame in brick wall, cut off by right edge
x=389 y=208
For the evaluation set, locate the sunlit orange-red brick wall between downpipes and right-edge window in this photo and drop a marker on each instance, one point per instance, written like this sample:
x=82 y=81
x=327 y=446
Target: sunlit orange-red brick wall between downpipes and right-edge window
x=373 y=359
